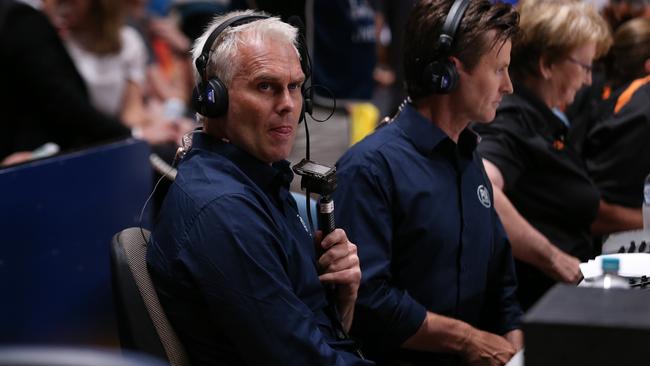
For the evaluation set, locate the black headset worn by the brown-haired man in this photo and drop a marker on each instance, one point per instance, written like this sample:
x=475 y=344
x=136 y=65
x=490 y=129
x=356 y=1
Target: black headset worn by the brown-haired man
x=441 y=74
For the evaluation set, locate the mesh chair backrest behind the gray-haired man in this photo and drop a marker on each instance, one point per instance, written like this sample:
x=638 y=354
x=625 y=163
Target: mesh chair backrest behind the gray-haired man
x=142 y=322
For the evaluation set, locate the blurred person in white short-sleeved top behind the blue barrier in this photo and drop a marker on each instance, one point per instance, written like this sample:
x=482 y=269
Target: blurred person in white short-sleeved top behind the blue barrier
x=111 y=57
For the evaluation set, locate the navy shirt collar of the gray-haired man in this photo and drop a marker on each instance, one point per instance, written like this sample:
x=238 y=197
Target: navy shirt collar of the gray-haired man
x=268 y=177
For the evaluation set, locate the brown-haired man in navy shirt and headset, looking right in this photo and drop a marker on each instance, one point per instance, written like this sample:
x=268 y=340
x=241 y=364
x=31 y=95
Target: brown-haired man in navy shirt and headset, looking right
x=438 y=285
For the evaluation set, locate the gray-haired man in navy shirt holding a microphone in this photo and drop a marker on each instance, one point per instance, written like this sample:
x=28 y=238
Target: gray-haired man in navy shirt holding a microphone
x=232 y=262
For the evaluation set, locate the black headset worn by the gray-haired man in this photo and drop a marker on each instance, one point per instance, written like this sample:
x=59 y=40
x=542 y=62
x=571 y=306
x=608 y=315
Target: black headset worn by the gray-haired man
x=210 y=96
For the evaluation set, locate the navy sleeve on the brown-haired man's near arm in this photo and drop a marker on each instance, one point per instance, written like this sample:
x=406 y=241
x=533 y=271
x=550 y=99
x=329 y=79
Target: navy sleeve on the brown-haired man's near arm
x=386 y=314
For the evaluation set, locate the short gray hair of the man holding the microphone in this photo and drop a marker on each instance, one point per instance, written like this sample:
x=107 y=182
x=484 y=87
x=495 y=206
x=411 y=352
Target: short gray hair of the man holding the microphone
x=222 y=60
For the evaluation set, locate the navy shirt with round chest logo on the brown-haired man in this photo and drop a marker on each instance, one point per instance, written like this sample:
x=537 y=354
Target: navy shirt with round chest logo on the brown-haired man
x=419 y=208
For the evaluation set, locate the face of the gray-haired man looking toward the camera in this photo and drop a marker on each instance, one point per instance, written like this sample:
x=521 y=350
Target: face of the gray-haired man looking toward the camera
x=265 y=100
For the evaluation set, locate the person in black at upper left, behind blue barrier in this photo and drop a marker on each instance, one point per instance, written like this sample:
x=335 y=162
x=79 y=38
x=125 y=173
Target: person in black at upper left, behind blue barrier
x=42 y=96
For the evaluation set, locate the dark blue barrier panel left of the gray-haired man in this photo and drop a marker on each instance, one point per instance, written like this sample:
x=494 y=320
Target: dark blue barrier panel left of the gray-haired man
x=57 y=217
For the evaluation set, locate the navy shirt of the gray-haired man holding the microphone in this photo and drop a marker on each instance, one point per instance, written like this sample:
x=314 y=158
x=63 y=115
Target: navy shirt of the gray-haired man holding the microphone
x=234 y=265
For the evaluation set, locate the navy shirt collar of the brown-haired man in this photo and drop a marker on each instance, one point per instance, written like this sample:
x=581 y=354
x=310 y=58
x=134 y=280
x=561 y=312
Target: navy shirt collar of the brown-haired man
x=426 y=136
